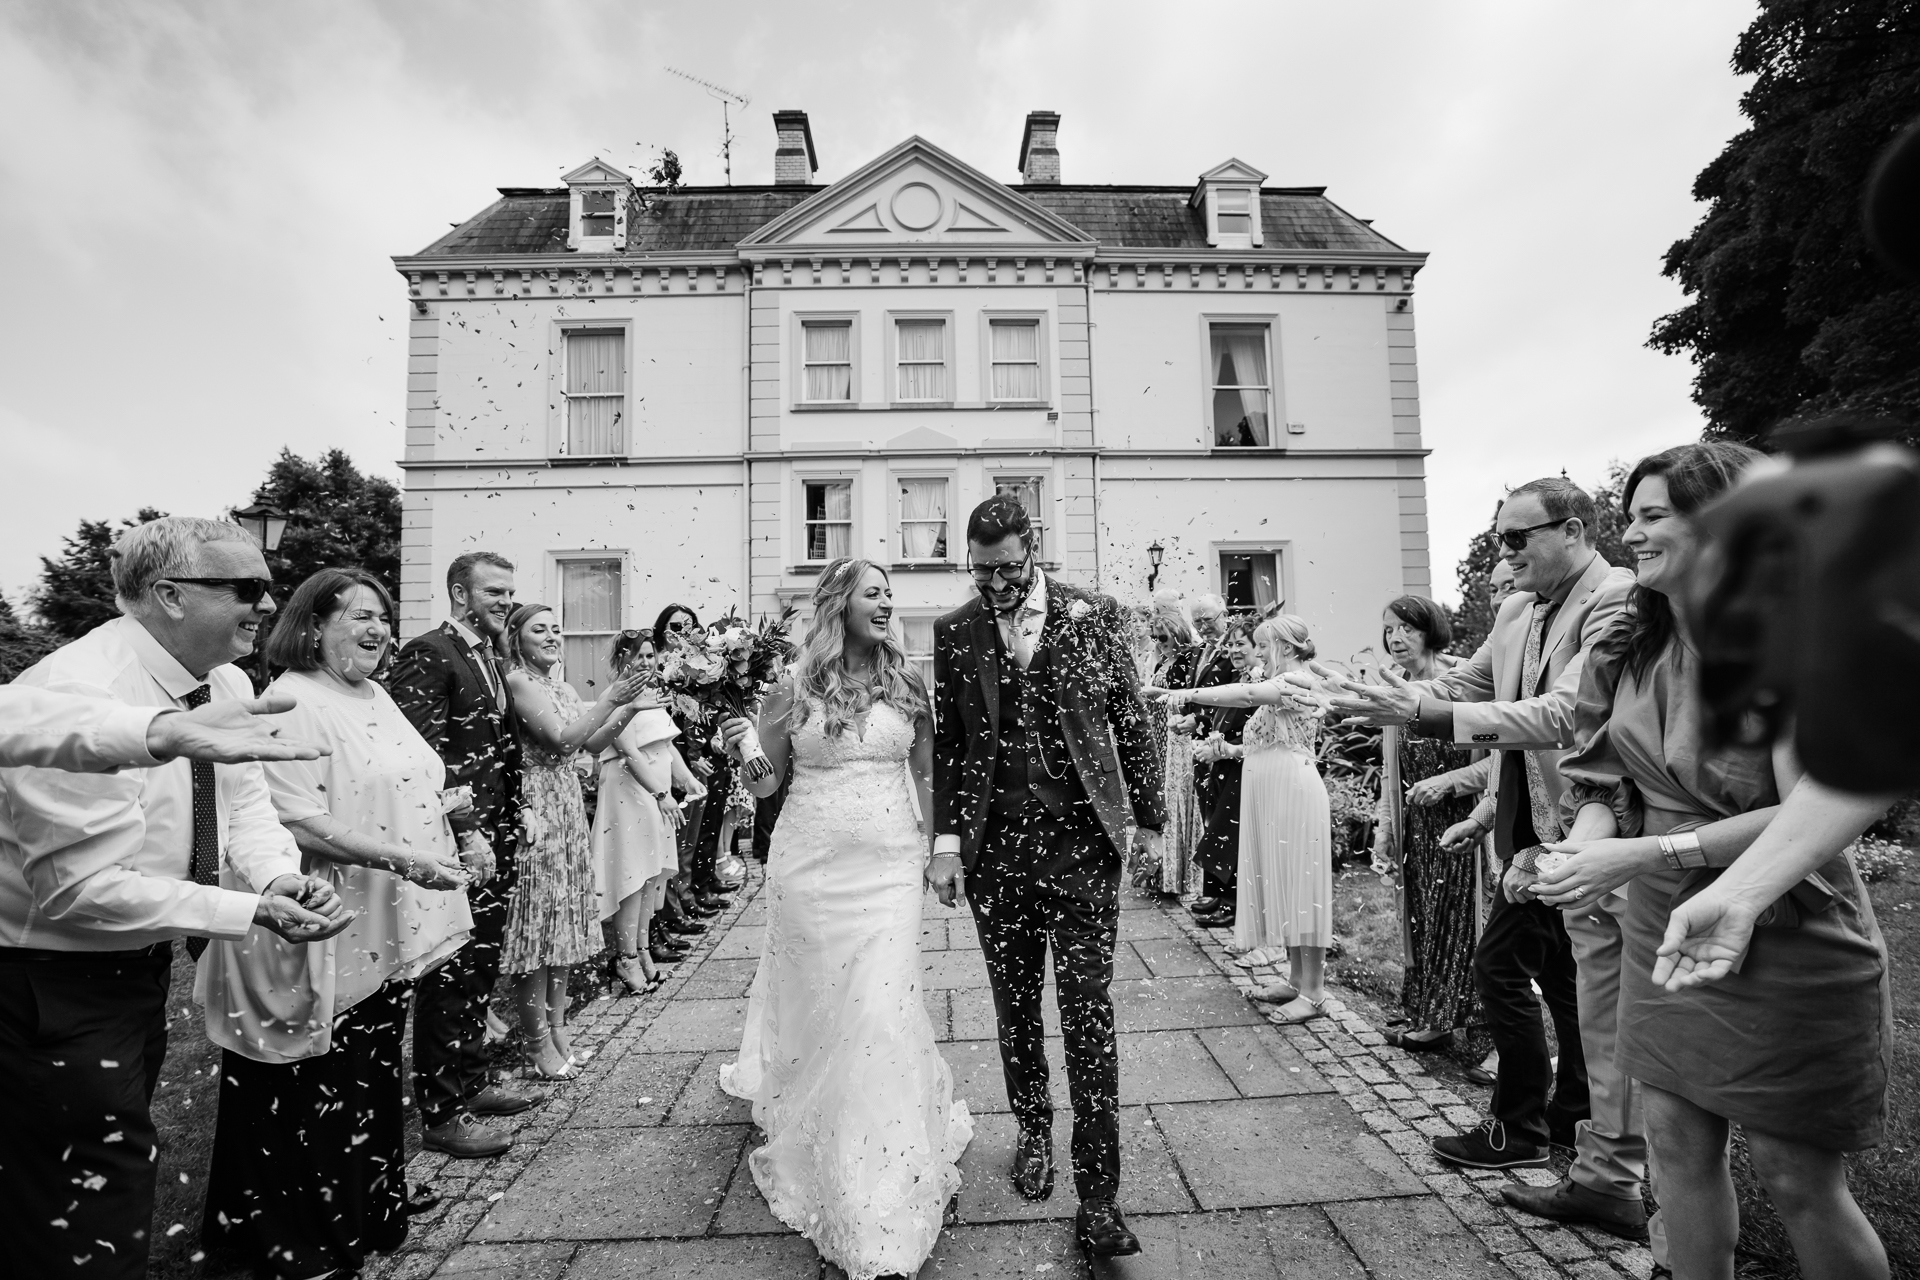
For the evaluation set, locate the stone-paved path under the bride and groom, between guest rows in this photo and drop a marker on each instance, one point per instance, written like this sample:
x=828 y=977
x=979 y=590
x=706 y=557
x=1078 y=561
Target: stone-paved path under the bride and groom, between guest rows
x=1249 y=1150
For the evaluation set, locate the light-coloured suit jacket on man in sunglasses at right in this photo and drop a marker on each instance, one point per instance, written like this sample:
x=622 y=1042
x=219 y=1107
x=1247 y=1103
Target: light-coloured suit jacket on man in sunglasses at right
x=1491 y=707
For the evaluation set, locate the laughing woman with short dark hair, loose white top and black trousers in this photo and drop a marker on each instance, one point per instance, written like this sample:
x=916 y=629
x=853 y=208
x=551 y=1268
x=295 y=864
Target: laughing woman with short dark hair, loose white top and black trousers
x=310 y=1147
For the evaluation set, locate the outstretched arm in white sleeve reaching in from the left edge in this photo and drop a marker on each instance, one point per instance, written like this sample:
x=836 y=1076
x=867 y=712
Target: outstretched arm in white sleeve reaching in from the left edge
x=82 y=734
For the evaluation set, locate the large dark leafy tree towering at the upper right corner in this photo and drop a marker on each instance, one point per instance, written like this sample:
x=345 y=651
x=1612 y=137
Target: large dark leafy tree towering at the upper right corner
x=1790 y=312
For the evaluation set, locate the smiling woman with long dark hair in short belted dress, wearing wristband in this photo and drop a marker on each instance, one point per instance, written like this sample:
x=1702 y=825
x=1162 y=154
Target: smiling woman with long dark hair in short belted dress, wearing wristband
x=1796 y=1045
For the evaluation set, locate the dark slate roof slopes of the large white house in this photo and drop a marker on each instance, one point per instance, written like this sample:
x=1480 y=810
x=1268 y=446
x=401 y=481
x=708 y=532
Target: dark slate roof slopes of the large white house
x=717 y=218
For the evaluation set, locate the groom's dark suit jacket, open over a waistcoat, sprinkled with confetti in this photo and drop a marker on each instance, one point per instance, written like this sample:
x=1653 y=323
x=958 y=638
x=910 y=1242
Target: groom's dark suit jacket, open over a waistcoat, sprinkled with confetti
x=1103 y=721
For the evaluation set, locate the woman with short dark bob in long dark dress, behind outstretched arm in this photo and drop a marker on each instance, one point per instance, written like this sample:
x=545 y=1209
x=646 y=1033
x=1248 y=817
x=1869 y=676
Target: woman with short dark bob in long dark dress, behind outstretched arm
x=1437 y=884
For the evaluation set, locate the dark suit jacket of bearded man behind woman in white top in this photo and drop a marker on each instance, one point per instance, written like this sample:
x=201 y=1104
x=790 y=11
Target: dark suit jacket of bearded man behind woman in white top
x=441 y=688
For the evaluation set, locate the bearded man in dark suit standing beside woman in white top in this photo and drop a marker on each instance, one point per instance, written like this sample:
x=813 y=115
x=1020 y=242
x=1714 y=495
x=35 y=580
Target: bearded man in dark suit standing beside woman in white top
x=452 y=686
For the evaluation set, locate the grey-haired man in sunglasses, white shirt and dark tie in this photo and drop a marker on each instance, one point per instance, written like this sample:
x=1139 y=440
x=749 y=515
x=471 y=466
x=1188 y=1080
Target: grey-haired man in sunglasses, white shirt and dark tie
x=101 y=872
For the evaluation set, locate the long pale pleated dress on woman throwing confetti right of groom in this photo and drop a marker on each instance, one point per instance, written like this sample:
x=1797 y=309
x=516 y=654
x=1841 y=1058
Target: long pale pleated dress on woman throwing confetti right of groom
x=1285 y=895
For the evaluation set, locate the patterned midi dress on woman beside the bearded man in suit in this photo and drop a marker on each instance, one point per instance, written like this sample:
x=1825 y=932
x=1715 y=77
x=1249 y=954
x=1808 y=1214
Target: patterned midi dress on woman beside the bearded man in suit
x=554 y=918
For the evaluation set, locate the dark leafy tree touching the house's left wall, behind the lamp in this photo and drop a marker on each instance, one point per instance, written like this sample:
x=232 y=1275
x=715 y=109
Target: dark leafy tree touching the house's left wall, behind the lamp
x=337 y=517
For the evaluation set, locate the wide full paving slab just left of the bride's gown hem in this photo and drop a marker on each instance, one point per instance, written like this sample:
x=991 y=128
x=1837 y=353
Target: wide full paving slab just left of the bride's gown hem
x=619 y=1185
